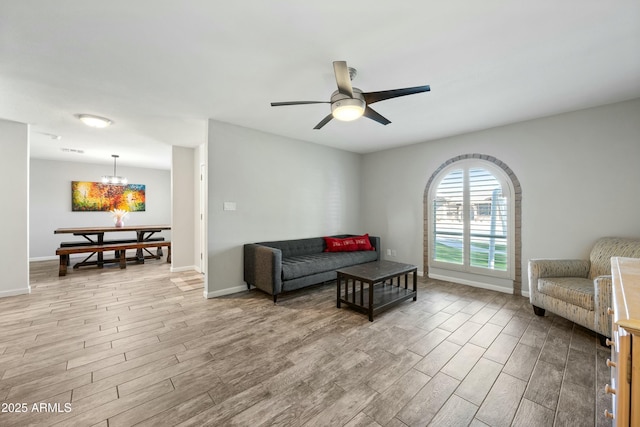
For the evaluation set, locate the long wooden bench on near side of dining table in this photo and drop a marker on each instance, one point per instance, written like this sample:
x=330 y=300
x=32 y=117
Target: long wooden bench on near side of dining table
x=120 y=248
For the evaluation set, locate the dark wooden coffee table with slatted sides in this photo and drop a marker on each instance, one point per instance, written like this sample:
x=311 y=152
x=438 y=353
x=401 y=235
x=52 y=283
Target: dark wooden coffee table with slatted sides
x=381 y=293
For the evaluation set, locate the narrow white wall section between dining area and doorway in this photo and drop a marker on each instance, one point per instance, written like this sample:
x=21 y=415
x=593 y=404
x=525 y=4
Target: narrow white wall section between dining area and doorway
x=182 y=207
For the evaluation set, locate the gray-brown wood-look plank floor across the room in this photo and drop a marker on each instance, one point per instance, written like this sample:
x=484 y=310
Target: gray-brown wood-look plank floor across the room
x=142 y=346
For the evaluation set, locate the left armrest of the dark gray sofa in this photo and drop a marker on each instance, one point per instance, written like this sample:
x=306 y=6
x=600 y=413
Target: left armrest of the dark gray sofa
x=263 y=268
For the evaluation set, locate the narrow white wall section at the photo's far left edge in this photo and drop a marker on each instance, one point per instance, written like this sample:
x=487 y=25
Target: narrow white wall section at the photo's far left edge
x=14 y=172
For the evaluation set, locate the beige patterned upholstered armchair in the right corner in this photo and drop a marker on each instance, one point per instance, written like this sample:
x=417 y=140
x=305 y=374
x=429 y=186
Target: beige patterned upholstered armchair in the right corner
x=579 y=290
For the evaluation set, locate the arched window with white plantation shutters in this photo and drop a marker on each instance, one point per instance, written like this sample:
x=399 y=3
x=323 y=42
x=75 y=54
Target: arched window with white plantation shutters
x=471 y=223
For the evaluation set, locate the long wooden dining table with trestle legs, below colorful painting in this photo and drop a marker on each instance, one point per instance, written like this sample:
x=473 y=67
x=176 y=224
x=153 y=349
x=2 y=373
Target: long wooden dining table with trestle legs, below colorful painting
x=95 y=235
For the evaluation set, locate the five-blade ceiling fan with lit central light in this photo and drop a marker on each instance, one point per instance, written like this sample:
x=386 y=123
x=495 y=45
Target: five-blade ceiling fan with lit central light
x=349 y=103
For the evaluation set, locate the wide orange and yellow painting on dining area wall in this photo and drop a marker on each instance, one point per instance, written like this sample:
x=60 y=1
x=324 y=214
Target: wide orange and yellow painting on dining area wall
x=96 y=196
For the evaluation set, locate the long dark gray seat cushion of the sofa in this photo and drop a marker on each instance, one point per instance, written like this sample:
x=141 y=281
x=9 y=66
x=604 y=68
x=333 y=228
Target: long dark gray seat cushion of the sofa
x=305 y=265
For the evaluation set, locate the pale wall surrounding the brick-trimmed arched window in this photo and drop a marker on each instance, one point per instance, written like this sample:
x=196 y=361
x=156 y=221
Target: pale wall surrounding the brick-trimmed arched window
x=579 y=173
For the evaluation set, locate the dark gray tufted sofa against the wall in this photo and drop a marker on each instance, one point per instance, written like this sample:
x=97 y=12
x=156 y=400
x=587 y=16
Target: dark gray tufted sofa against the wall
x=286 y=265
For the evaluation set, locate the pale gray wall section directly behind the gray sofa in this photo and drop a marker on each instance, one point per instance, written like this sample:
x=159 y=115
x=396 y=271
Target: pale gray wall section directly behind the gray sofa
x=283 y=189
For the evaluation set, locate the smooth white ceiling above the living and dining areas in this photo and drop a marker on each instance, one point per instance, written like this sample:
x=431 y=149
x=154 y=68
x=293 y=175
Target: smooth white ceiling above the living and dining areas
x=160 y=69
